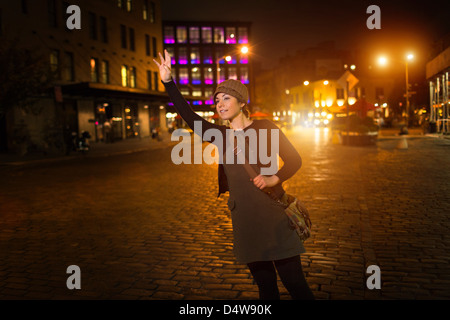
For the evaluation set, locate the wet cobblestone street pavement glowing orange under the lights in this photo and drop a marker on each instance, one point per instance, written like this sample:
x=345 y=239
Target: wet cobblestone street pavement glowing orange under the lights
x=140 y=227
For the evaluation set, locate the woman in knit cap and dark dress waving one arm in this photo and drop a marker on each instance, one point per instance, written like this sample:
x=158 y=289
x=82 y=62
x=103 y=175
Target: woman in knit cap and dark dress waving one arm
x=262 y=237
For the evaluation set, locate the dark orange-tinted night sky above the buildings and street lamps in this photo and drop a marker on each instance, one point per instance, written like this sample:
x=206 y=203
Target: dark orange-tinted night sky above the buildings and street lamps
x=283 y=27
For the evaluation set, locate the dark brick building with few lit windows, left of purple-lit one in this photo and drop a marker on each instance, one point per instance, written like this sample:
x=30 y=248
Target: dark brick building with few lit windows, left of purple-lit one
x=105 y=78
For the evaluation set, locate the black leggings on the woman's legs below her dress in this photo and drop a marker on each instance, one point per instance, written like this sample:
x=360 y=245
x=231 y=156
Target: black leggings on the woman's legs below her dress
x=291 y=274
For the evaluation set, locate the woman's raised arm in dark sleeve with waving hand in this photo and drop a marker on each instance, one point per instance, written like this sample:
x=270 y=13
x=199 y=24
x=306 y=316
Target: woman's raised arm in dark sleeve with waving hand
x=183 y=108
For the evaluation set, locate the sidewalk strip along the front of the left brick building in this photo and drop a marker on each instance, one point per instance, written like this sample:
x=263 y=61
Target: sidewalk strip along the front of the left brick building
x=97 y=149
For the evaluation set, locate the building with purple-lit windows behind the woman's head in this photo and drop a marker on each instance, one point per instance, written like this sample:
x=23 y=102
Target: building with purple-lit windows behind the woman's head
x=205 y=54
